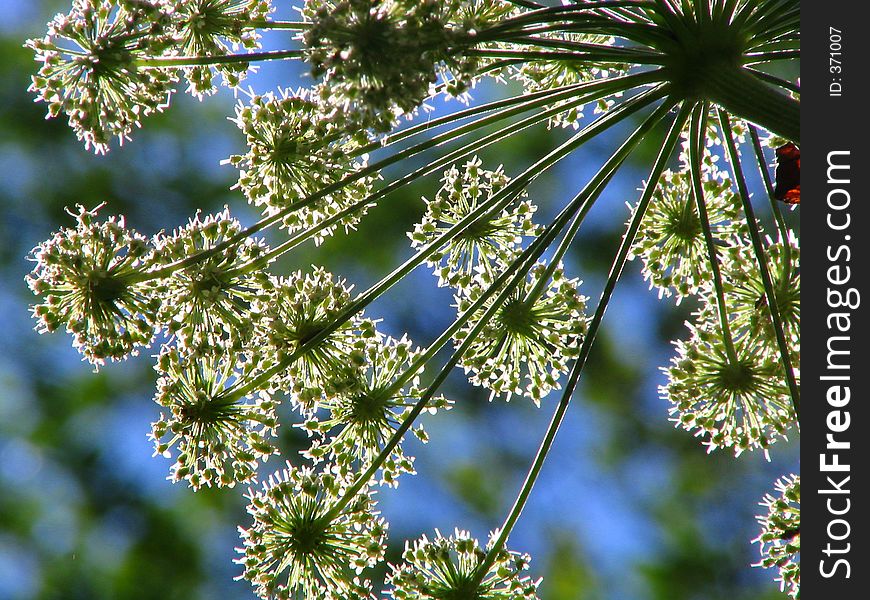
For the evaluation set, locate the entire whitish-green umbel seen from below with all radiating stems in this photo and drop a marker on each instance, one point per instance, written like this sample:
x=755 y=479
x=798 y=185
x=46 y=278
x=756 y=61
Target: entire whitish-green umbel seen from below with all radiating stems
x=247 y=346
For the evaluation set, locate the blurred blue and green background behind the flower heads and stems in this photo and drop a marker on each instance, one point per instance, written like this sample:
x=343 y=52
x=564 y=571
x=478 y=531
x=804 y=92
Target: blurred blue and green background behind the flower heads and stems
x=627 y=507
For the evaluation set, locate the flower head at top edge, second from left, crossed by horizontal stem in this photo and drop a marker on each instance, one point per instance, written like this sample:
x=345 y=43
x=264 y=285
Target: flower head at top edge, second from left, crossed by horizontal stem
x=214 y=28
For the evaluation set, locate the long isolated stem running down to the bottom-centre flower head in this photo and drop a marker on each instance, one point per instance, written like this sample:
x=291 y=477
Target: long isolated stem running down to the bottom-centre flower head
x=616 y=269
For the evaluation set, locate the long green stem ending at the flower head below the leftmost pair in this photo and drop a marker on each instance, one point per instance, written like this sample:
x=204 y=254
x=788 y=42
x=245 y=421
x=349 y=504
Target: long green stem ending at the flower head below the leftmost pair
x=493 y=204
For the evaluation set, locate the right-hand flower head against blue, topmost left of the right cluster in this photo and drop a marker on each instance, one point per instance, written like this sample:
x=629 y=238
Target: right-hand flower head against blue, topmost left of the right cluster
x=670 y=241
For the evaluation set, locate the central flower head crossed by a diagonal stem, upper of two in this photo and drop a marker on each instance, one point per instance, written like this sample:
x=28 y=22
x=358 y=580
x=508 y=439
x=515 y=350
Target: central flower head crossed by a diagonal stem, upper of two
x=489 y=241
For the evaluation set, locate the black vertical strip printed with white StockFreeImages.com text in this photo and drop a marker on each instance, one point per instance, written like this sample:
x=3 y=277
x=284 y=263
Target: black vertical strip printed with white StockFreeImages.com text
x=835 y=252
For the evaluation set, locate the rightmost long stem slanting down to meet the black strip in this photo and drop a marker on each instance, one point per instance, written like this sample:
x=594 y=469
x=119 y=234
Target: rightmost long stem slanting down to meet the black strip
x=761 y=258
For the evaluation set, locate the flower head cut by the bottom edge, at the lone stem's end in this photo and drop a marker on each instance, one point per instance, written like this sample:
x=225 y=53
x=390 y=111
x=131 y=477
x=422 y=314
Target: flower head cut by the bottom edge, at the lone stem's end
x=446 y=567
